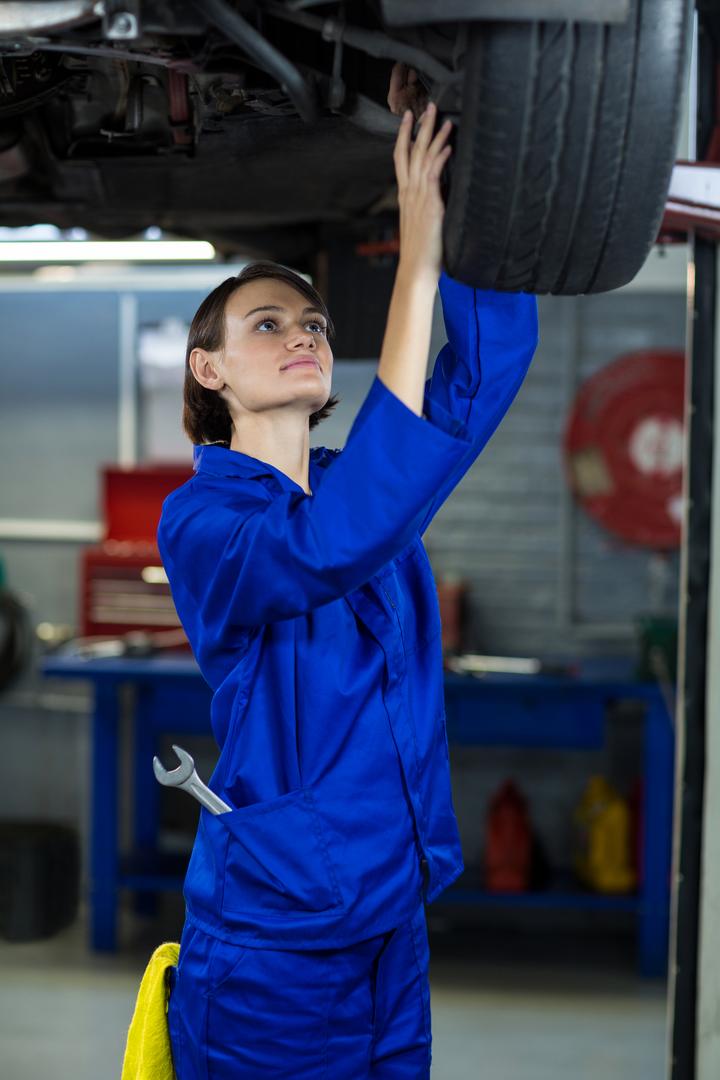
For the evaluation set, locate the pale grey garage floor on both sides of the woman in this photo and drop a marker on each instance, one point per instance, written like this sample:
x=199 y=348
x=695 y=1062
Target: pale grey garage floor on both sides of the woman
x=506 y=1006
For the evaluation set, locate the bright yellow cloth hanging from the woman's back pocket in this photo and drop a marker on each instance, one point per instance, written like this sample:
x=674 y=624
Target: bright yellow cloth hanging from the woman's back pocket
x=148 y=1052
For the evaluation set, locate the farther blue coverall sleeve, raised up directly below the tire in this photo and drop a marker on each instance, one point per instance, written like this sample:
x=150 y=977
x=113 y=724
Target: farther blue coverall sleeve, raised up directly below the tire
x=492 y=341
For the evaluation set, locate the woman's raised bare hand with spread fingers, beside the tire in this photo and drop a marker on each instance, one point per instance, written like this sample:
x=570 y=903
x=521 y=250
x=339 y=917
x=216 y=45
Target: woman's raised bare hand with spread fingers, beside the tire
x=418 y=168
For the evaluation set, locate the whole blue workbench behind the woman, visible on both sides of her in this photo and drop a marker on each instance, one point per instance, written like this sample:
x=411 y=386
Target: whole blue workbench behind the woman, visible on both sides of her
x=170 y=697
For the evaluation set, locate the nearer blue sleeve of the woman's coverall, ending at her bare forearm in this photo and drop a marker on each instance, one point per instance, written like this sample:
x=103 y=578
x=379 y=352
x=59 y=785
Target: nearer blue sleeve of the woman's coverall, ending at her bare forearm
x=238 y=557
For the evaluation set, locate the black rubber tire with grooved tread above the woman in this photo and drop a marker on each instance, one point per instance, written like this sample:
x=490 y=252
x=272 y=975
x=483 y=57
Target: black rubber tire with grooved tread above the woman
x=565 y=150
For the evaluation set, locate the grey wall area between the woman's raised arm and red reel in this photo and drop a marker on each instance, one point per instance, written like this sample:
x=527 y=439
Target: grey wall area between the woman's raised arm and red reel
x=544 y=577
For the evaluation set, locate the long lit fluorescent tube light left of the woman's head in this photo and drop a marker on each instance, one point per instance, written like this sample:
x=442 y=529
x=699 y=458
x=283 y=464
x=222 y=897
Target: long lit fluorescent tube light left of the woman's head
x=106 y=251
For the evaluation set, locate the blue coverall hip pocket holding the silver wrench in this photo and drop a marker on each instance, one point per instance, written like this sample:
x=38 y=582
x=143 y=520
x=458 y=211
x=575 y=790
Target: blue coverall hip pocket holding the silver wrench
x=278 y=859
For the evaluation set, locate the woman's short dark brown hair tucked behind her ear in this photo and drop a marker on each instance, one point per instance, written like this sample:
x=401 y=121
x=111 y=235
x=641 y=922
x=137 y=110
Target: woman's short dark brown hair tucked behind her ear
x=206 y=415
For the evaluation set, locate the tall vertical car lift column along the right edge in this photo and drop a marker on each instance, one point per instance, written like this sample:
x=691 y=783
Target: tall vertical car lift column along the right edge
x=695 y=983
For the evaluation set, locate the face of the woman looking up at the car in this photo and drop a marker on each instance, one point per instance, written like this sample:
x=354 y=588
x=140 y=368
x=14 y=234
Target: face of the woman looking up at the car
x=276 y=350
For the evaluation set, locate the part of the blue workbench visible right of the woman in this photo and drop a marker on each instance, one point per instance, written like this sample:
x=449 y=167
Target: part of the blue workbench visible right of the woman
x=545 y=711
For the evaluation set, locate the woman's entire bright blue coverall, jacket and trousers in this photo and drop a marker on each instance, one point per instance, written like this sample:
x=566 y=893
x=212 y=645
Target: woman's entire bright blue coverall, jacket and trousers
x=316 y=622
